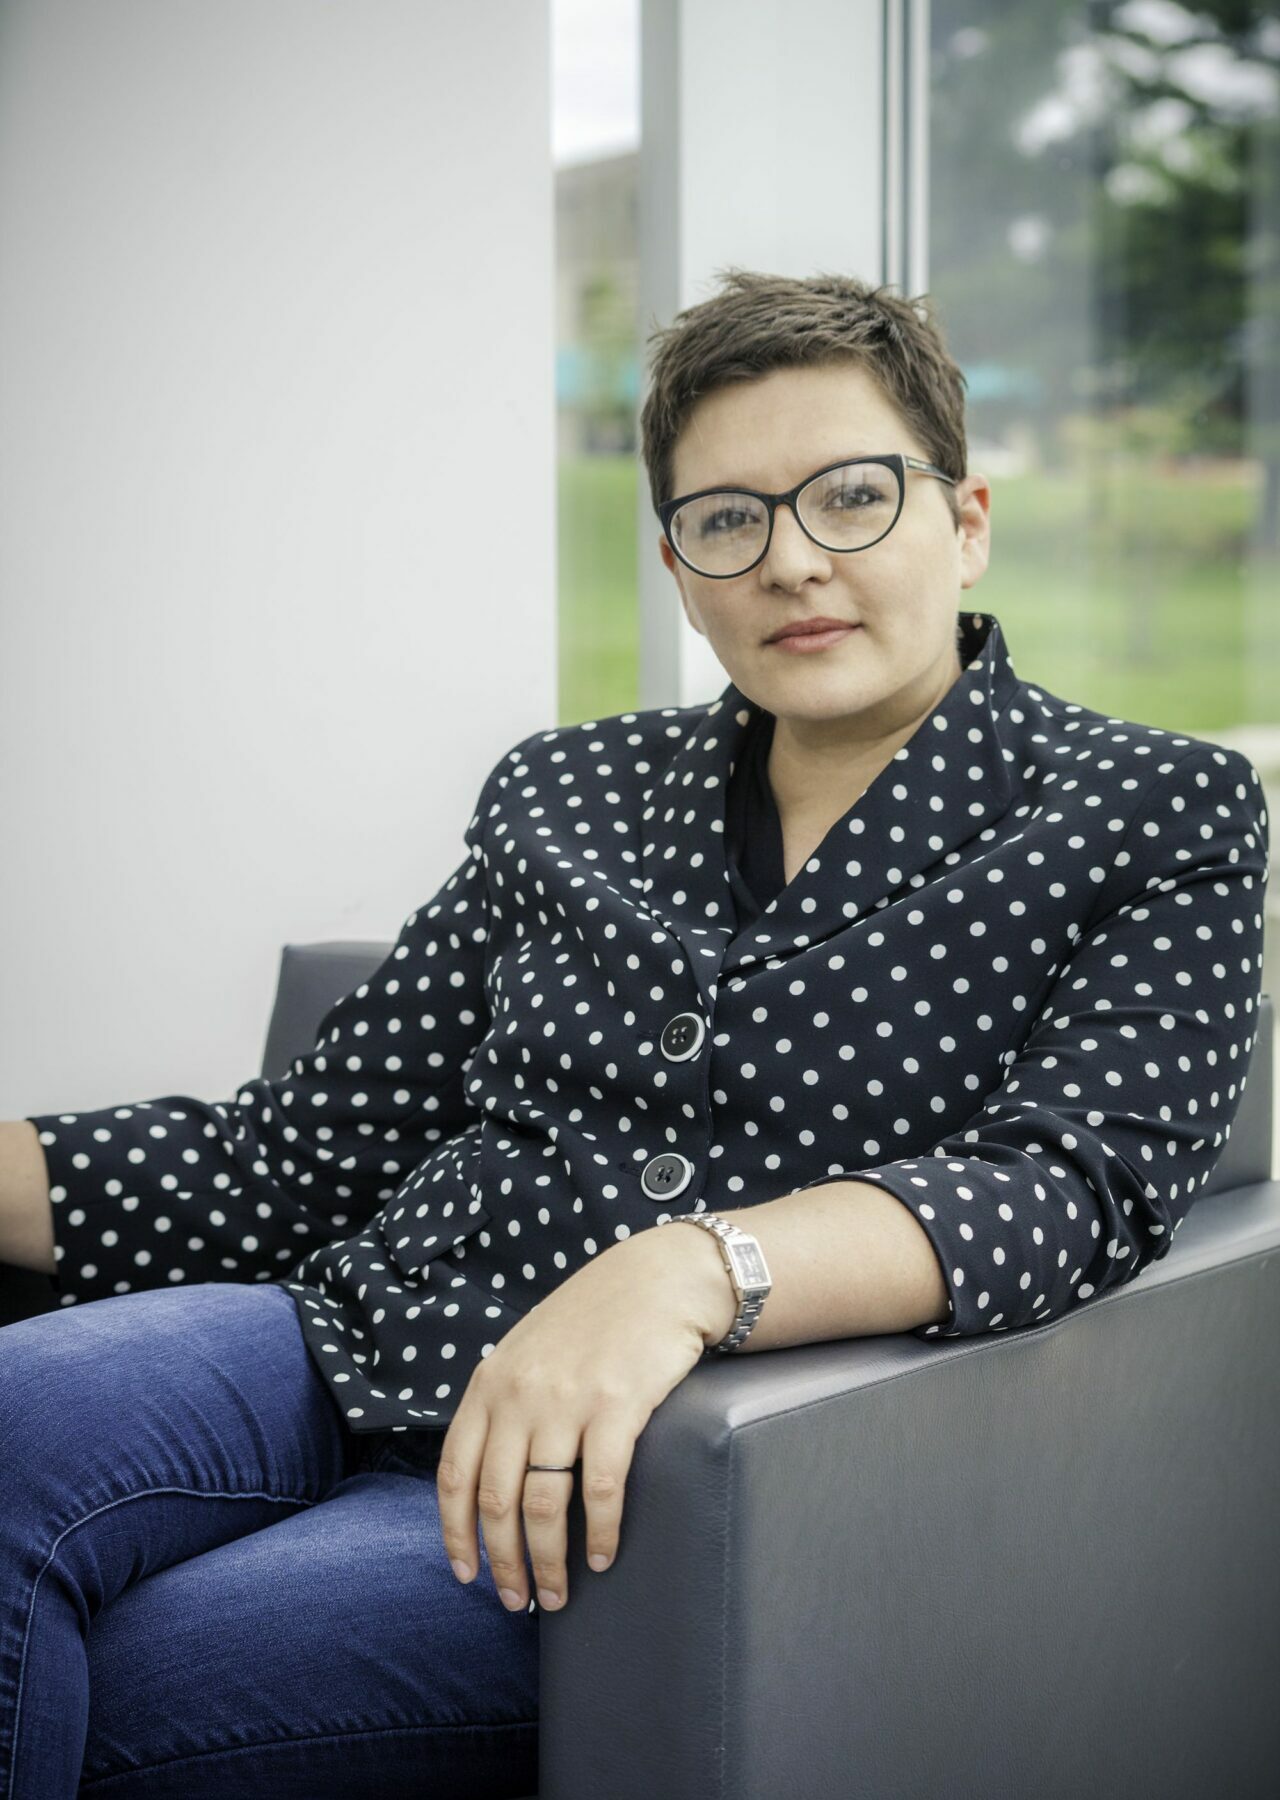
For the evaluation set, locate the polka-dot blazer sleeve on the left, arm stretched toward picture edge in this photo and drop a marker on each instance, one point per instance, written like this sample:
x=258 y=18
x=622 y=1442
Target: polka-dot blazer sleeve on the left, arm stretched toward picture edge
x=172 y=1191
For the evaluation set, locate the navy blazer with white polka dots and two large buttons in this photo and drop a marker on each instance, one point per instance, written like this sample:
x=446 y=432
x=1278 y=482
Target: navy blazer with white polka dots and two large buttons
x=1016 y=985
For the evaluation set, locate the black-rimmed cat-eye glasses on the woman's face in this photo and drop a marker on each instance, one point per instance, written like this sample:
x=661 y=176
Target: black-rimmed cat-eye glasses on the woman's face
x=847 y=507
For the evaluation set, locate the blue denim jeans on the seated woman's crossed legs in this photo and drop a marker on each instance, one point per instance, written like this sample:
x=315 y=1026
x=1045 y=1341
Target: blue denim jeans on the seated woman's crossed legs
x=213 y=1588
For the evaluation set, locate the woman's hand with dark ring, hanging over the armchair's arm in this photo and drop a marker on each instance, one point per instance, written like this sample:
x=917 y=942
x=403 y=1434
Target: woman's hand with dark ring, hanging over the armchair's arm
x=579 y=1374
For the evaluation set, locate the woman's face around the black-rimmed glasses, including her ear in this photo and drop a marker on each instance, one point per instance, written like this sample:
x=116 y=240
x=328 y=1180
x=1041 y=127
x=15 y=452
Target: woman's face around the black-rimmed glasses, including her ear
x=903 y=593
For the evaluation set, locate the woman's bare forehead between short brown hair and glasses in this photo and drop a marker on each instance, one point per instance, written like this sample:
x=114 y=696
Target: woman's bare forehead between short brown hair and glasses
x=775 y=431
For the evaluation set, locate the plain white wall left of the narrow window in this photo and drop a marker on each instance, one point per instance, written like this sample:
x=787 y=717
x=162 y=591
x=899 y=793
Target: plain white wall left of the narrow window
x=276 y=337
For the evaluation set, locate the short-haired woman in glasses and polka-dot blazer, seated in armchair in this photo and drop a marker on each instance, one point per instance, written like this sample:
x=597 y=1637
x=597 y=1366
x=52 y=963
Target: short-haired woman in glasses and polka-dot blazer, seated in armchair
x=935 y=985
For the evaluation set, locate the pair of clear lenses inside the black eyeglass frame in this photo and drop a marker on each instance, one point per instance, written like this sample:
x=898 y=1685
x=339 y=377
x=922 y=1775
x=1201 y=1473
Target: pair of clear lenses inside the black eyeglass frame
x=845 y=510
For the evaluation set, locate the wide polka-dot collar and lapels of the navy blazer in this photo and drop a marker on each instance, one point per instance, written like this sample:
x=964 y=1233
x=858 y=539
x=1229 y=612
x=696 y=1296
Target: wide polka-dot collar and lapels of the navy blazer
x=942 y=787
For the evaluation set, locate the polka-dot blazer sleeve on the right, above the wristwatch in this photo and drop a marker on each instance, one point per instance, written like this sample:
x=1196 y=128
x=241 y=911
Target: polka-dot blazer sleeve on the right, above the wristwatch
x=1083 y=1164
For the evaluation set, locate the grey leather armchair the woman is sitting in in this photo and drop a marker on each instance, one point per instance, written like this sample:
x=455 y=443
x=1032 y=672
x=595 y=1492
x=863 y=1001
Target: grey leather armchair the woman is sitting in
x=883 y=1569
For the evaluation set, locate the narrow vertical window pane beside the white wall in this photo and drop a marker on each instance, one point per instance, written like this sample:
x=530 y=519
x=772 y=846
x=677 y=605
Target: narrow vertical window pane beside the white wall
x=599 y=355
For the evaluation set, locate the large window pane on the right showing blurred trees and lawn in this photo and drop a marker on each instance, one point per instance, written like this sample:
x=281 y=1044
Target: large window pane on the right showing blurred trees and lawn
x=1106 y=260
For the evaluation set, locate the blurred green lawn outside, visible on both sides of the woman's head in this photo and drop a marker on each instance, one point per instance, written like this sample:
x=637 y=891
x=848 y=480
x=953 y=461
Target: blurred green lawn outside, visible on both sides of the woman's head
x=1131 y=595
